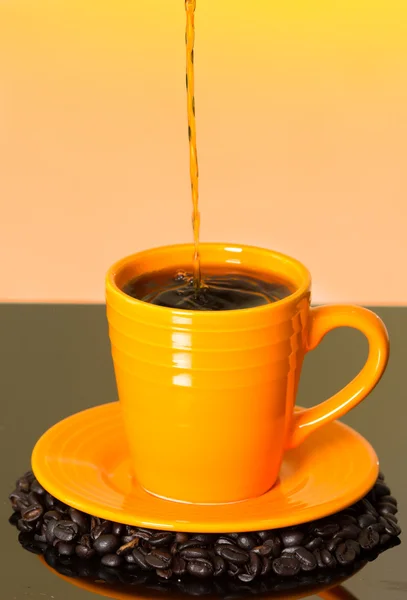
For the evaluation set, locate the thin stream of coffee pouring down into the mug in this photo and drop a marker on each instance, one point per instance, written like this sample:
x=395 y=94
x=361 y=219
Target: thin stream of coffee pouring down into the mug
x=193 y=156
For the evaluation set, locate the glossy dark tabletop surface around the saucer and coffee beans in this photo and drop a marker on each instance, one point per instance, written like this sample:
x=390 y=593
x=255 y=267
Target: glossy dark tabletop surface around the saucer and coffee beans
x=55 y=361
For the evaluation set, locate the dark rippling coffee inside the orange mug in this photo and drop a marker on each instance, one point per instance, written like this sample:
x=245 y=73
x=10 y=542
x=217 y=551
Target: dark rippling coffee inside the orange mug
x=221 y=288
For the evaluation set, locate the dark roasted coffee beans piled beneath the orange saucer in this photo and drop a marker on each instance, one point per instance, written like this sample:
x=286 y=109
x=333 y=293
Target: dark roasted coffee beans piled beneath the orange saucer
x=47 y=526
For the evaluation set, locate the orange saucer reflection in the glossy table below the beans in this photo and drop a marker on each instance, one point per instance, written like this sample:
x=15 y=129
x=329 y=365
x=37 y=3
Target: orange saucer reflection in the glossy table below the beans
x=326 y=591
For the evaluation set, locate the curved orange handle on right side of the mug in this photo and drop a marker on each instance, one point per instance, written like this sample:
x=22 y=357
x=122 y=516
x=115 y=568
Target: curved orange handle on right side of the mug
x=322 y=320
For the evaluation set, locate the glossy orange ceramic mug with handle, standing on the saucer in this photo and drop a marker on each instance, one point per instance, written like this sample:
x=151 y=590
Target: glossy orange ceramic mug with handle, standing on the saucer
x=208 y=397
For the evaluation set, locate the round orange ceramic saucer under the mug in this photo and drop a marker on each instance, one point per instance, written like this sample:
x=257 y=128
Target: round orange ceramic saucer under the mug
x=84 y=462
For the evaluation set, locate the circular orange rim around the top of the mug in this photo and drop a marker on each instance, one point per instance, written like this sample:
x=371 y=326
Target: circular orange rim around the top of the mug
x=114 y=269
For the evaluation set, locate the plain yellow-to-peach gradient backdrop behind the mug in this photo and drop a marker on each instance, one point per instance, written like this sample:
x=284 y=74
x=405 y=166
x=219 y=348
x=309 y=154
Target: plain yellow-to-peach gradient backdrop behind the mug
x=302 y=133
